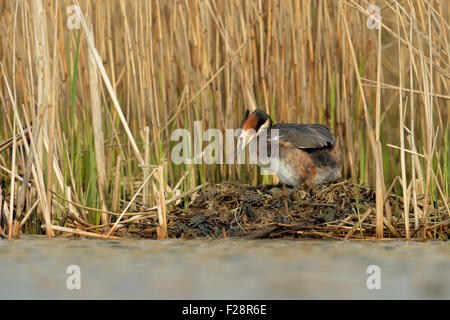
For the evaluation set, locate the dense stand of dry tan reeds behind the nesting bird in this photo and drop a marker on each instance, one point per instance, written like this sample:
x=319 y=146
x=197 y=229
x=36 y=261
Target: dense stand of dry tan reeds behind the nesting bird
x=163 y=64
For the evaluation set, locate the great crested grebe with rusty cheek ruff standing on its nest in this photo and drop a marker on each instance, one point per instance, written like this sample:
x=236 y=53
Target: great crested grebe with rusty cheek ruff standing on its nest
x=306 y=152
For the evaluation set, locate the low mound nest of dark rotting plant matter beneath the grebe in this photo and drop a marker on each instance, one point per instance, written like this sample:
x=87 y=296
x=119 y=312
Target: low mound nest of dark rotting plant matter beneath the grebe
x=335 y=211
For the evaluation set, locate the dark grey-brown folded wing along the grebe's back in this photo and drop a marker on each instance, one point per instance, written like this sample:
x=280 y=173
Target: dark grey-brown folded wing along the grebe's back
x=306 y=136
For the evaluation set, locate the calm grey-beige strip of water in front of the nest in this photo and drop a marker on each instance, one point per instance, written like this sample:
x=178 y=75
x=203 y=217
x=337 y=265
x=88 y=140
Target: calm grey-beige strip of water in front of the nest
x=223 y=269
